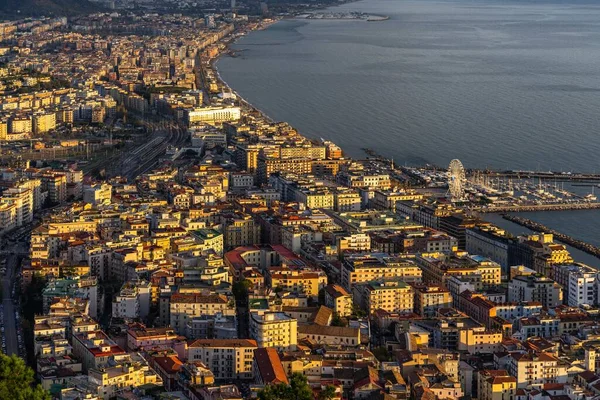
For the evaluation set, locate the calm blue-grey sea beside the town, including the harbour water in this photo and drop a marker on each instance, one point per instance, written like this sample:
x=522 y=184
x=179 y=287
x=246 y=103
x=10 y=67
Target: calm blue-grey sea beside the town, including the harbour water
x=498 y=84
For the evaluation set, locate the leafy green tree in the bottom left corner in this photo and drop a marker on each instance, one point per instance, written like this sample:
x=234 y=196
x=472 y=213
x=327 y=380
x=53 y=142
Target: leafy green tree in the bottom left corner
x=16 y=380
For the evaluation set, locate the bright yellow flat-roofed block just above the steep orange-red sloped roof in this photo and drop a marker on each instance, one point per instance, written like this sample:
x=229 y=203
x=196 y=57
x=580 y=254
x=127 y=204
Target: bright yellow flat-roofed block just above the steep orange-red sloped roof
x=274 y=329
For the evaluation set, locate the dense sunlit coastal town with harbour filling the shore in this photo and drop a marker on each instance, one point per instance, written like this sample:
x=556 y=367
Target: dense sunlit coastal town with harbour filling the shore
x=161 y=238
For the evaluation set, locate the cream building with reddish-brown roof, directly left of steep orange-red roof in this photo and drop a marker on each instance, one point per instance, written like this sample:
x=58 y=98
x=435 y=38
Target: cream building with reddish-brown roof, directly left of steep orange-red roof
x=226 y=358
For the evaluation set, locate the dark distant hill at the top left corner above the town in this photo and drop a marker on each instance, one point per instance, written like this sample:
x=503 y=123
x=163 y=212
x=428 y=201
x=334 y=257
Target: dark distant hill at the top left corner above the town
x=24 y=8
